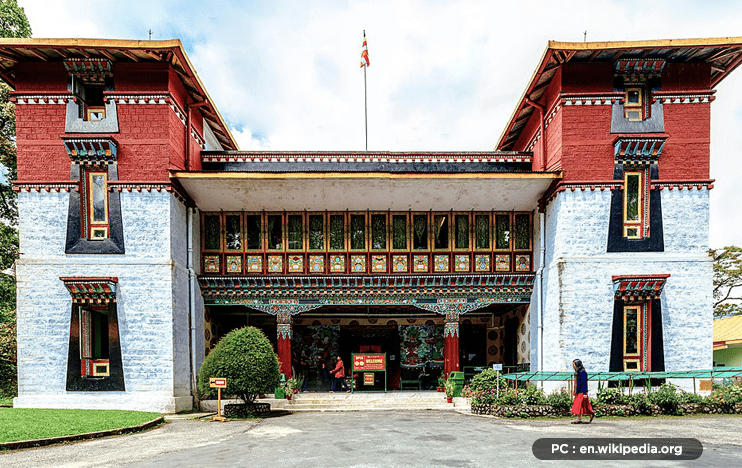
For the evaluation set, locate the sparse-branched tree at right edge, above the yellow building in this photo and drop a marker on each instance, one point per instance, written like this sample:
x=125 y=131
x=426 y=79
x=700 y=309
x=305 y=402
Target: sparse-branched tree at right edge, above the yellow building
x=727 y=281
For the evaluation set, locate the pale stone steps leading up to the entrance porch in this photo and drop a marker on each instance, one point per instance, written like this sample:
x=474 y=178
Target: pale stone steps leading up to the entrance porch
x=361 y=401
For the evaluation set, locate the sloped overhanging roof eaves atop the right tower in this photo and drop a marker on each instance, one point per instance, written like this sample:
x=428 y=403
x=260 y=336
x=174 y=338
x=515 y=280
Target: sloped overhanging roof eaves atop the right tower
x=724 y=54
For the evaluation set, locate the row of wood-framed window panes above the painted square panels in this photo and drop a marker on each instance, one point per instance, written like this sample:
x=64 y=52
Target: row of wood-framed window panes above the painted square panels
x=362 y=232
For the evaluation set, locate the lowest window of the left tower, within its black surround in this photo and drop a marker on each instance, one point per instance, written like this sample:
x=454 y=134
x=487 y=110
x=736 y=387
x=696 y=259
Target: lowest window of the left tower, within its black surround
x=94 y=347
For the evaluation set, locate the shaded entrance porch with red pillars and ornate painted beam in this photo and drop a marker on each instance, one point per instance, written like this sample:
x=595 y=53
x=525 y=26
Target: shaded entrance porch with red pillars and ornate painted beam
x=427 y=326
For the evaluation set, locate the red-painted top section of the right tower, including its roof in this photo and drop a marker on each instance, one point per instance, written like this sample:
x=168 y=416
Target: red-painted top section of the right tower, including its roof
x=579 y=89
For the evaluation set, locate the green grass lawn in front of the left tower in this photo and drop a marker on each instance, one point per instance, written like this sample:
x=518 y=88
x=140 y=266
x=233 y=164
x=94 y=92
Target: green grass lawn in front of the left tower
x=32 y=423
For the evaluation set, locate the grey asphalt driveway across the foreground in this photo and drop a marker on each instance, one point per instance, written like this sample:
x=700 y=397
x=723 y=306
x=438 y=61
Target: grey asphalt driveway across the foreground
x=376 y=439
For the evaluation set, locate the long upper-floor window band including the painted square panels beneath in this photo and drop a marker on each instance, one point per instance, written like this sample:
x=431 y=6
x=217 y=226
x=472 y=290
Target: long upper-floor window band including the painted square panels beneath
x=370 y=242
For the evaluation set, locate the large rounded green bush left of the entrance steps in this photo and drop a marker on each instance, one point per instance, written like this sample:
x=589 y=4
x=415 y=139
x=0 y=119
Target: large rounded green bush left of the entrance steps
x=246 y=359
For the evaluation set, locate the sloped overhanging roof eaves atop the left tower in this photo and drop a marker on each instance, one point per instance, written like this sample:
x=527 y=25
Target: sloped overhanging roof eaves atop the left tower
x=14 y=51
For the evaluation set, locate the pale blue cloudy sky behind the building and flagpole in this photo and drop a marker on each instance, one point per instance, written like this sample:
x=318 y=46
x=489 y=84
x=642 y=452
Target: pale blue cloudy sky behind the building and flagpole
x=444 y=75
